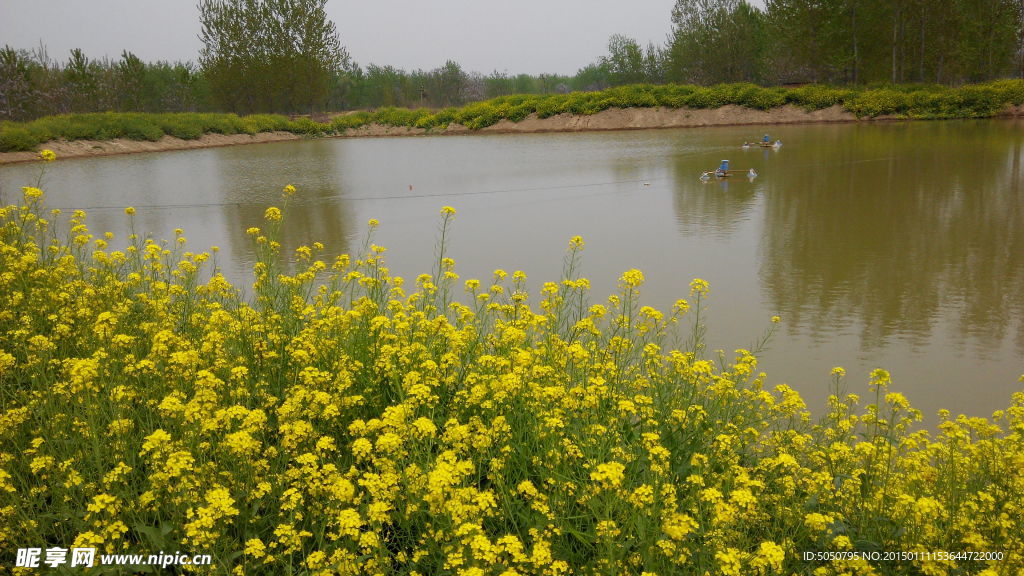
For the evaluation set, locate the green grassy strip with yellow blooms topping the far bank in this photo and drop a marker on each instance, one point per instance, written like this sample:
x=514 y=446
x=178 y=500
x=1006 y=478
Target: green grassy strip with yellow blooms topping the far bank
x=924 y=102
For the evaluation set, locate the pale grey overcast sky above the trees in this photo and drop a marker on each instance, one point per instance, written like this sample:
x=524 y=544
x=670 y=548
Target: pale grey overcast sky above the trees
x=525 y=36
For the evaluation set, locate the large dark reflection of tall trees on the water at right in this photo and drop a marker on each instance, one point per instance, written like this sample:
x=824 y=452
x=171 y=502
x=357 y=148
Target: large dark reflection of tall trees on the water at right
x=898 y=230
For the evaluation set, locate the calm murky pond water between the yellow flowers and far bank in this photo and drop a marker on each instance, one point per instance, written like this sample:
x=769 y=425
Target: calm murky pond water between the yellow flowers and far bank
x=892 y=245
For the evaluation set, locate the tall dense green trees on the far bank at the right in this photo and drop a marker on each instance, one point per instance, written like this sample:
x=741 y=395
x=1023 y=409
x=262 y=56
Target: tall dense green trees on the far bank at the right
x=845 y=43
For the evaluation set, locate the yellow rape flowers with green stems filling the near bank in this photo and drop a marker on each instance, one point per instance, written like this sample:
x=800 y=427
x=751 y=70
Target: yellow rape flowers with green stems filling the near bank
x=344 y=421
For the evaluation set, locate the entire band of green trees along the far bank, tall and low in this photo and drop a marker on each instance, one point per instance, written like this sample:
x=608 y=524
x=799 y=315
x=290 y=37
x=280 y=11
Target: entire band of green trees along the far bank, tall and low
x=286 y=57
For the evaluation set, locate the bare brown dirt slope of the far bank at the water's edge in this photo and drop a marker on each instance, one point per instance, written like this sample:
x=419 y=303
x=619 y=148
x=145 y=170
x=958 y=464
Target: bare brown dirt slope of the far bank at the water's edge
x=608 y=120
